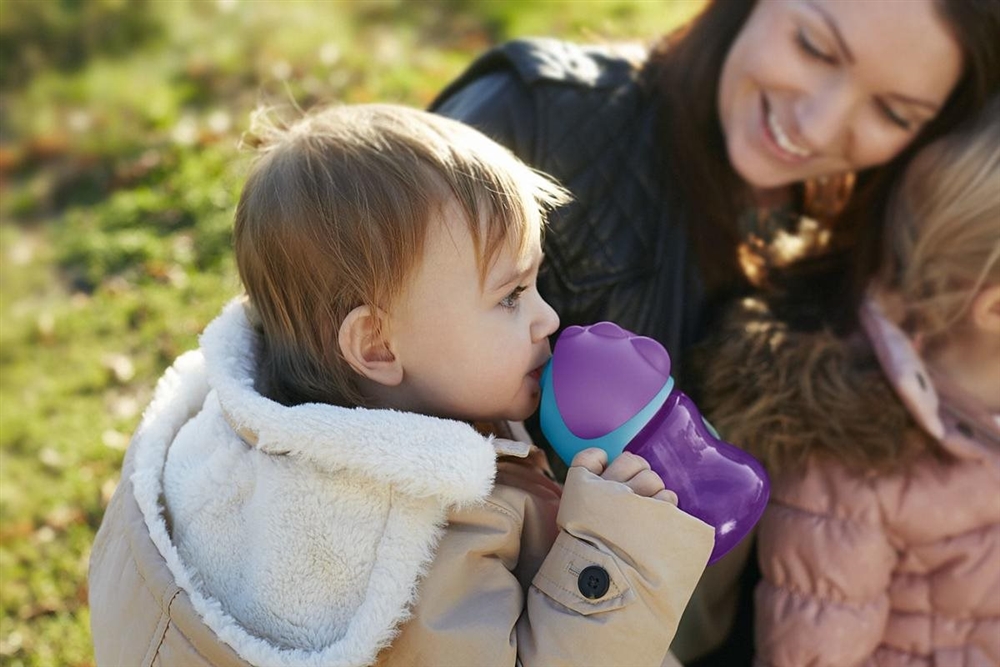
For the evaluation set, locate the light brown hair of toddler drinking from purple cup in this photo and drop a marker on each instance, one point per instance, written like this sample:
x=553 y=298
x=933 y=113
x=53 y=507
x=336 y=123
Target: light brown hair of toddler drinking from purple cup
x=334 y=214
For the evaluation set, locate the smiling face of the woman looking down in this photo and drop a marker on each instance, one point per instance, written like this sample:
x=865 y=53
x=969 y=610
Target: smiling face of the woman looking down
x=819 y=87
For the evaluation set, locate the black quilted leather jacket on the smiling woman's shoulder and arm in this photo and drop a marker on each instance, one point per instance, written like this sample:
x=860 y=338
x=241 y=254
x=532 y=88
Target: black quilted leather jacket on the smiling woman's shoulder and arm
x=619 y=251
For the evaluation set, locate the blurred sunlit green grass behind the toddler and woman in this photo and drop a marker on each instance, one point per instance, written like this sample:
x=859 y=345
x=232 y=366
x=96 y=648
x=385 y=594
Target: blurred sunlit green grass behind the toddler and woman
x=119 y=173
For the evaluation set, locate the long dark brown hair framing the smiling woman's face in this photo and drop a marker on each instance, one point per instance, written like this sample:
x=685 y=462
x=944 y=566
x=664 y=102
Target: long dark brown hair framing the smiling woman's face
x=683 y=72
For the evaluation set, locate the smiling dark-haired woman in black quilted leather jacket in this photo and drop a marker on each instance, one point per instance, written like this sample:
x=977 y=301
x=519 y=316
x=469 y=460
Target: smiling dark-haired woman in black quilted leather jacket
x=753 y=148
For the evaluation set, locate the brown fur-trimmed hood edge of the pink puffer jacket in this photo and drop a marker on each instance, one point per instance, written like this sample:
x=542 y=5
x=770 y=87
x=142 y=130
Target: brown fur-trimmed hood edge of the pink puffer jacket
x=786 y=395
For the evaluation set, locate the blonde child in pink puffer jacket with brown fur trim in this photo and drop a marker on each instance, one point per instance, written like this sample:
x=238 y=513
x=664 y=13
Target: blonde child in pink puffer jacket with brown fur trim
x=881 y=545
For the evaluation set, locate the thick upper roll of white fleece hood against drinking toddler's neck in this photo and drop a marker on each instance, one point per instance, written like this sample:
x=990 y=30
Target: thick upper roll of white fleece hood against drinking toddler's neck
x=442 y=458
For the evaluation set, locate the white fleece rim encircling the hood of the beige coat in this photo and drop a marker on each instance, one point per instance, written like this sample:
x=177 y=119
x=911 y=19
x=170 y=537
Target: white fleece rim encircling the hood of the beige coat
x=447 y=463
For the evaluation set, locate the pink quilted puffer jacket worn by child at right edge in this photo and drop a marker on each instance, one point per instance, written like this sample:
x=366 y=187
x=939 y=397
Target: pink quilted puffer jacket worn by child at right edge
x=888 y=569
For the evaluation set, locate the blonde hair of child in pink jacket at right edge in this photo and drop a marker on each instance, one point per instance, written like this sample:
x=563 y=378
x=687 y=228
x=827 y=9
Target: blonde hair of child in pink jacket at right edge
x=943 y=233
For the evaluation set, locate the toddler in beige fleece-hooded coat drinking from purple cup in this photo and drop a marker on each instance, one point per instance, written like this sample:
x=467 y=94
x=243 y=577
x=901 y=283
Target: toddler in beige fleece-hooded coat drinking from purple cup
x=322 y=482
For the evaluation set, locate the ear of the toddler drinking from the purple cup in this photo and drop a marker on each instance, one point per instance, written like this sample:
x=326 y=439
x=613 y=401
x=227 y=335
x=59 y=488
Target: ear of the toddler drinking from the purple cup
x=365 y=350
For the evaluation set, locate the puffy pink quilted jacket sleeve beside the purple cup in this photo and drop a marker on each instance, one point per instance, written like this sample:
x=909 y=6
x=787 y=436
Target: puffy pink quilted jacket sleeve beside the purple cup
x=826 y=563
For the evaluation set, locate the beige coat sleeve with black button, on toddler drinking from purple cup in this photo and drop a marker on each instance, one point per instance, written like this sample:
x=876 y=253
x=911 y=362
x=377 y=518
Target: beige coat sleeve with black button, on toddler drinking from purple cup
x=638 y=558
